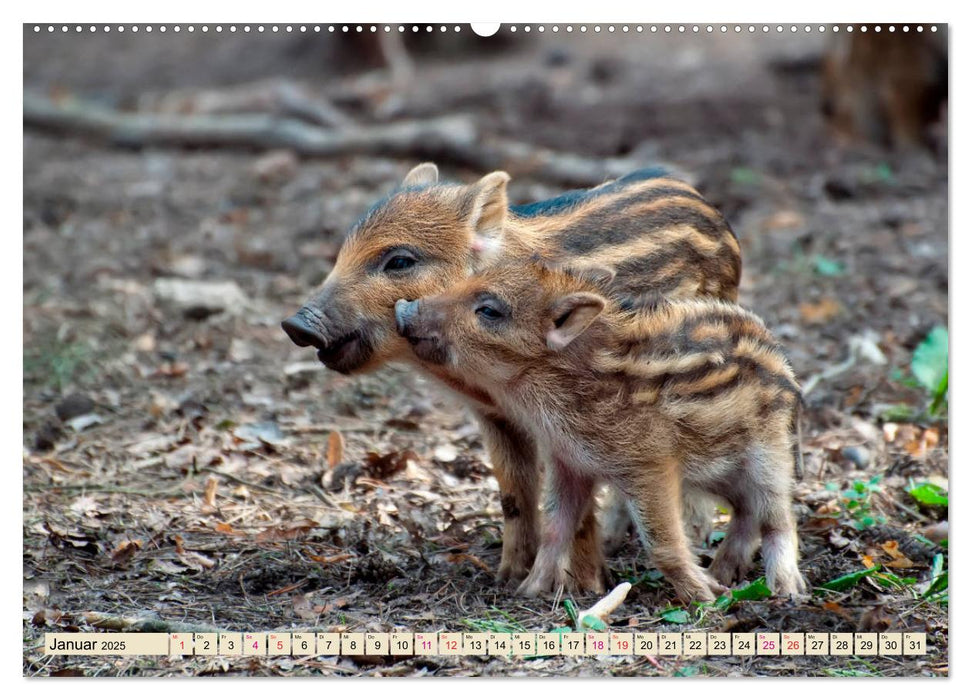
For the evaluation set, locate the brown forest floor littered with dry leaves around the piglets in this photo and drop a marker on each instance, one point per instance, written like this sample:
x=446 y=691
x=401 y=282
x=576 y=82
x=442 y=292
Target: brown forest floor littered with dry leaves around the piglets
x=182 y=461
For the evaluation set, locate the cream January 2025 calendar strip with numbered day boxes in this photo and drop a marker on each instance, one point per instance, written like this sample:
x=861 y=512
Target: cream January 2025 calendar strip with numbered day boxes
x=519 y=644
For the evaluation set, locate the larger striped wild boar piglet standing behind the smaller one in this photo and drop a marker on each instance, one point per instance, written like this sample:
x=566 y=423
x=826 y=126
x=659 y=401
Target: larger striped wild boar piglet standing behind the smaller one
x=657 y=234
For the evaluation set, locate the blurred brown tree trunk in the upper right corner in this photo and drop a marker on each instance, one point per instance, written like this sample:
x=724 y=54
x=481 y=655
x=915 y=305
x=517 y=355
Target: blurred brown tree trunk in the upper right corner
x=887 y=88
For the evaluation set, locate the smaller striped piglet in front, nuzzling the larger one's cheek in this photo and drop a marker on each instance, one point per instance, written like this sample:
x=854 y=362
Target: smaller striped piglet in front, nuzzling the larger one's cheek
x=683 y=397
